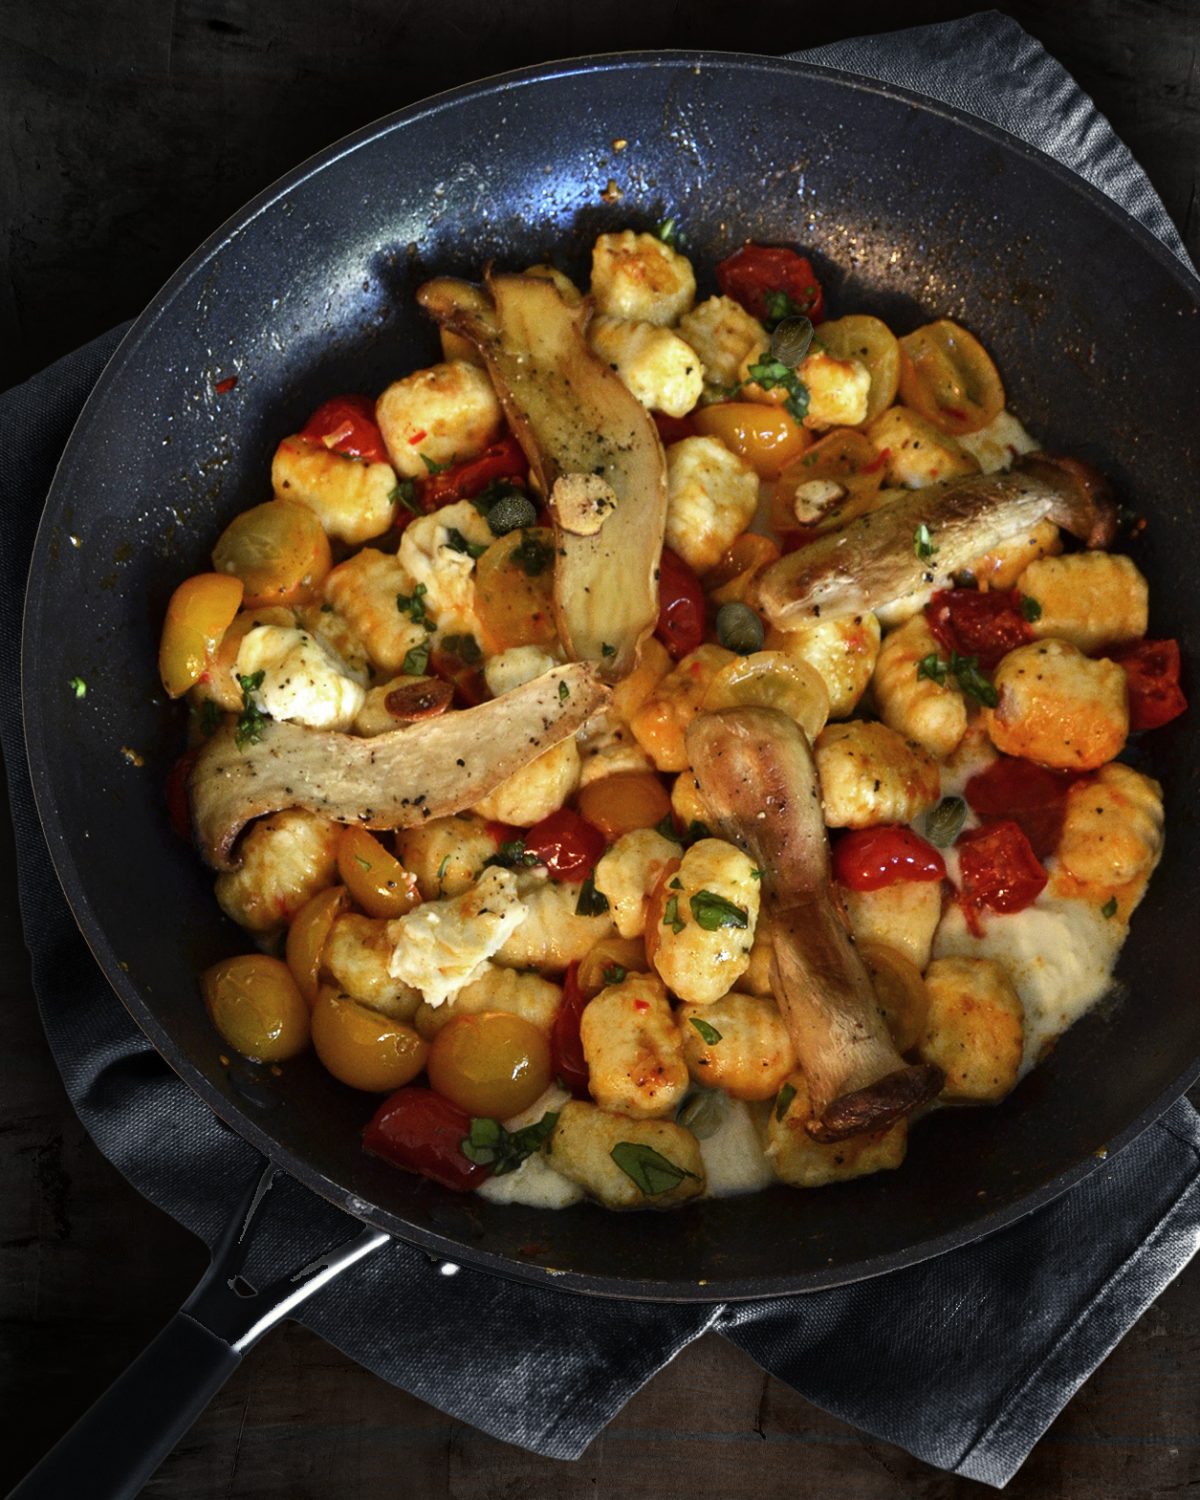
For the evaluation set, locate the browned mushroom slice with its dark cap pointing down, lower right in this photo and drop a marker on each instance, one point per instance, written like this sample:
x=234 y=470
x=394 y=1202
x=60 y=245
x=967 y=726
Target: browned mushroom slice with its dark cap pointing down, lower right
x=758 y=779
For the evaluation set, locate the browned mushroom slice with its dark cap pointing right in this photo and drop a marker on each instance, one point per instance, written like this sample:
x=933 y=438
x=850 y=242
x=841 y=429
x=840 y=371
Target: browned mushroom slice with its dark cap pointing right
x=926 y=538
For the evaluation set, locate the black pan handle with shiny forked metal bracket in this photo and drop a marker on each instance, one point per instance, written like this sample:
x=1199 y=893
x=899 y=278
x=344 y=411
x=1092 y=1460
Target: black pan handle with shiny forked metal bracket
x=121 y=1441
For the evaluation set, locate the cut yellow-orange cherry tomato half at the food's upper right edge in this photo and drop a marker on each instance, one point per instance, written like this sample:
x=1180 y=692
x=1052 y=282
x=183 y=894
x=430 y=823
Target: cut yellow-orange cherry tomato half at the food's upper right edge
x=949 y=377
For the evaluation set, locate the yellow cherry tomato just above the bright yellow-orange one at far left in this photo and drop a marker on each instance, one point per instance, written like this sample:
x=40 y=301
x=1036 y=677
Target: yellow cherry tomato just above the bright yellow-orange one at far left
x=280 y=551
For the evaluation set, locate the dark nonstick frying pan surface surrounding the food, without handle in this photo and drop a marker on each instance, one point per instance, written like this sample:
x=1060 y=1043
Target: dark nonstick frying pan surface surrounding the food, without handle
x=910 y=211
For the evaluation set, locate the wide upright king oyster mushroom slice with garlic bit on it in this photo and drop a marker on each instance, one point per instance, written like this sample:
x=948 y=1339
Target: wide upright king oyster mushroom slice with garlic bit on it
x=593 y=448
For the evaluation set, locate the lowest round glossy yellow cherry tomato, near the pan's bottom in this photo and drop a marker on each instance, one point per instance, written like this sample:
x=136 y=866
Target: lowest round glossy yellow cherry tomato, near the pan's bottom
x=493 y=1064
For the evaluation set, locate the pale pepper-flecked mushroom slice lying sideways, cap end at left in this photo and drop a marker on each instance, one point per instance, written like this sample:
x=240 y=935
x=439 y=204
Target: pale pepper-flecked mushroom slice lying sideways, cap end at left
x=392 y=781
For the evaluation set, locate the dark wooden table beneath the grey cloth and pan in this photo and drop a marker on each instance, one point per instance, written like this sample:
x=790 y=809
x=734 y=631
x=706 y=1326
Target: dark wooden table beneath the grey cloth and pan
x=127 y=134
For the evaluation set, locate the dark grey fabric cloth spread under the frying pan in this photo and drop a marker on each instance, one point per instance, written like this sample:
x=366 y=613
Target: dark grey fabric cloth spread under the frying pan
x=971 y=1355
